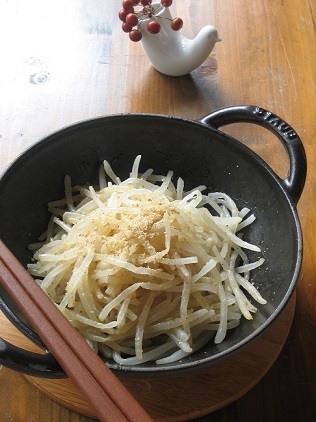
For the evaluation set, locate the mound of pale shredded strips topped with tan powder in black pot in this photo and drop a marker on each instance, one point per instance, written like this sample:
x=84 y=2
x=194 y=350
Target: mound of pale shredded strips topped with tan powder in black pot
x=144 y=270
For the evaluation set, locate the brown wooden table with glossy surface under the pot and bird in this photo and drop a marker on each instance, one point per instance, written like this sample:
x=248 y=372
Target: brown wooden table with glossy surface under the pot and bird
x=62 y=62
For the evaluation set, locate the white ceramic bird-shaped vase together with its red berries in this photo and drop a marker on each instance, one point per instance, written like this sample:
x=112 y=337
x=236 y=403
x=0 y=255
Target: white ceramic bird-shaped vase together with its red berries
x=169 y=51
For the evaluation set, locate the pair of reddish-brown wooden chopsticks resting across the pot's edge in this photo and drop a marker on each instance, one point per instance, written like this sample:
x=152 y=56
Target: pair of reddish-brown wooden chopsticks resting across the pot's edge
x=101 y=388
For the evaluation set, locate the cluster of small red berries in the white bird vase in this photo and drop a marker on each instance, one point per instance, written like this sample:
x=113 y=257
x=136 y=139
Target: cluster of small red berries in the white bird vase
x=132 y=18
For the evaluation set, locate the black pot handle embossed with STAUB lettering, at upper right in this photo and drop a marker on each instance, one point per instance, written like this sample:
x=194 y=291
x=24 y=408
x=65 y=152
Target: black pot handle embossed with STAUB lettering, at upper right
x=294 y=183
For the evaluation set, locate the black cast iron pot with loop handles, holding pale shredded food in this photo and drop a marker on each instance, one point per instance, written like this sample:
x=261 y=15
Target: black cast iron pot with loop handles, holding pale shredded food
x=199 y=153
